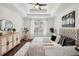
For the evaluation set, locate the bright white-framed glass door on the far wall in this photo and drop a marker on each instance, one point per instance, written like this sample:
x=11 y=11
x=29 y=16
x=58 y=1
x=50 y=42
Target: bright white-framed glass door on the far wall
x=38 y=28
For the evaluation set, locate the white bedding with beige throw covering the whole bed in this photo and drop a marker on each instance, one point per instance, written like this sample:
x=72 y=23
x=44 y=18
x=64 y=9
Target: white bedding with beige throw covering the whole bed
x=43 y=46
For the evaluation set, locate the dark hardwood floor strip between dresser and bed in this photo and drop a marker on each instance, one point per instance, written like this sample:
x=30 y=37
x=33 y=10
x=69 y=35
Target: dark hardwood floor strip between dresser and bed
x=15 y=49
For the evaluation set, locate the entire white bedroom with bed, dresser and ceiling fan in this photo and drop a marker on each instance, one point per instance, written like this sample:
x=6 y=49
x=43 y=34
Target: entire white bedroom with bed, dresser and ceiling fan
x=39 y=29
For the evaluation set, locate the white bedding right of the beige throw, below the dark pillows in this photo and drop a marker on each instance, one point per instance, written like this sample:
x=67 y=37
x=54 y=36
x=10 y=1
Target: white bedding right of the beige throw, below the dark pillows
x=61 y=51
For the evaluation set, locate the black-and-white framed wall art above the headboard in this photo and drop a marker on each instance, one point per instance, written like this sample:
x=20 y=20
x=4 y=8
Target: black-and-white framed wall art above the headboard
x=68 y=20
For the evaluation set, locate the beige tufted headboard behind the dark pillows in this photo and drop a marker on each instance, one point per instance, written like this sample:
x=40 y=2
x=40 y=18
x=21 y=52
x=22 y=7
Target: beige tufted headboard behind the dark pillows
x=72 y=33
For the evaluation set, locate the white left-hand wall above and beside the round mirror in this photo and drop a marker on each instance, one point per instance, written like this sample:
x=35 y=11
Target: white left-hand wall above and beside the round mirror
x=8 y=14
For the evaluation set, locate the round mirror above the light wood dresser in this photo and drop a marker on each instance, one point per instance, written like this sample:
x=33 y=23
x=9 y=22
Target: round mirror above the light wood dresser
x=6 y=25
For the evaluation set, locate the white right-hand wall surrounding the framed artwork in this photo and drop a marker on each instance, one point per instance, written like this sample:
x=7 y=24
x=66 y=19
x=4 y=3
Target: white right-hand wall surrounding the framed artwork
x=58 y=20
